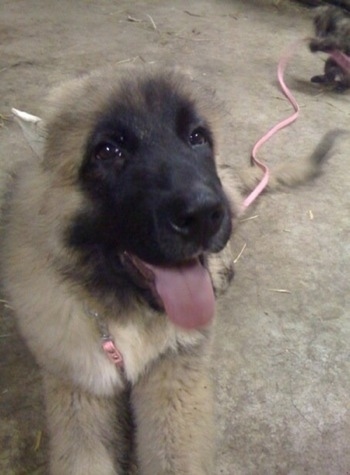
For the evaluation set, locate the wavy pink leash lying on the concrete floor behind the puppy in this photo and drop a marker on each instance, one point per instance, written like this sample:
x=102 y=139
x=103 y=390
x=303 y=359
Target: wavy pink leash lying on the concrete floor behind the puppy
x=264 y=181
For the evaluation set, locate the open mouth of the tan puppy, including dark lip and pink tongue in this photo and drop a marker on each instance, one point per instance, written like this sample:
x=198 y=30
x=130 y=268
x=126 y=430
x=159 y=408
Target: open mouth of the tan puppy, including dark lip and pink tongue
x=184 y=291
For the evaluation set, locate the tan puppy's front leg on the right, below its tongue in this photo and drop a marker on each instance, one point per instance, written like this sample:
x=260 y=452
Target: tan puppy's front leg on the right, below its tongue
x=173 y=410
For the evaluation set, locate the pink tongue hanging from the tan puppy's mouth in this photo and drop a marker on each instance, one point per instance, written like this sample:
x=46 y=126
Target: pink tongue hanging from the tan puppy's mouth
x=187 y=294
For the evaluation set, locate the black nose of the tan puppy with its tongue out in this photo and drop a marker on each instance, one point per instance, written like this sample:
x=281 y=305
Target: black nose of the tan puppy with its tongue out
x=199 y=217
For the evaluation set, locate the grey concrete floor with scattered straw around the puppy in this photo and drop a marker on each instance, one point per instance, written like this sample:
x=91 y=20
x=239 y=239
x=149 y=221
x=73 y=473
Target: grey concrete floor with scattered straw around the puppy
x=281 y=359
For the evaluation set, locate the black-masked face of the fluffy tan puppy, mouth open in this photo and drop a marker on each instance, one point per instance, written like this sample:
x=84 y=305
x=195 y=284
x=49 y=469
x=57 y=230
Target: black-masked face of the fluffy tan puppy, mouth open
x=158 y=206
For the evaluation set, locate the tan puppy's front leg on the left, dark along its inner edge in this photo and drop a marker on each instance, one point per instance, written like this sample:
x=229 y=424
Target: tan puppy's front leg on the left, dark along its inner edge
x=89 y=434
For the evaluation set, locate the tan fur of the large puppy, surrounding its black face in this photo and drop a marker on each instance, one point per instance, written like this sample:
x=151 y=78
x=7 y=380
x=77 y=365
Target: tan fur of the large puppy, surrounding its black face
x=165 y=367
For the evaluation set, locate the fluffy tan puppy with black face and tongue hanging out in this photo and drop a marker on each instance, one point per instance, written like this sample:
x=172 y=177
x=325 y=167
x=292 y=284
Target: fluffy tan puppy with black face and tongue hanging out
x=107 y=238
